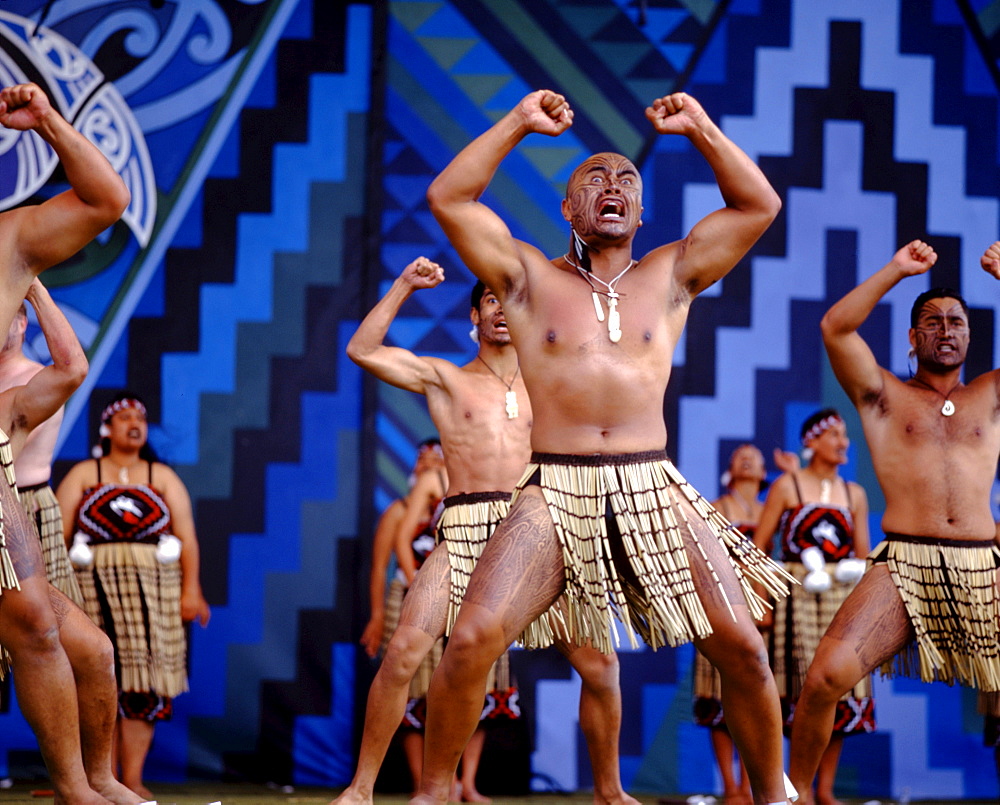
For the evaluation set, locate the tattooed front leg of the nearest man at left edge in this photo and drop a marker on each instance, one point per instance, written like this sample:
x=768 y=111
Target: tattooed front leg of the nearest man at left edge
x=43 y=677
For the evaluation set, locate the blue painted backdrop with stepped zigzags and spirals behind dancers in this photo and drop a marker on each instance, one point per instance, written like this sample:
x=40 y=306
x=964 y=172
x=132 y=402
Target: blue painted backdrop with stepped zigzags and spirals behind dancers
x=278 y=154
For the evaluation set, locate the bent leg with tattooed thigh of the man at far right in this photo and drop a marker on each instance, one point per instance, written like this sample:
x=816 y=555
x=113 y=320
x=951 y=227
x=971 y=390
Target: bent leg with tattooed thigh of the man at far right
x=870 y=627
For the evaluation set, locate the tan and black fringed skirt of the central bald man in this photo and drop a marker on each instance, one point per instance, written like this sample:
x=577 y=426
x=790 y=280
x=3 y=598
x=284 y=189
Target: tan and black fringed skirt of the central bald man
x=654 y=508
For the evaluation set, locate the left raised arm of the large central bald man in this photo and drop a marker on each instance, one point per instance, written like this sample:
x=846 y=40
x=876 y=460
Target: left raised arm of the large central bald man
x=479 y=235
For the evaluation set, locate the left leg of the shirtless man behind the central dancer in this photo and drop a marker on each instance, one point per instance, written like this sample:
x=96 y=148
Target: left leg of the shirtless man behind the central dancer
x=421 y=622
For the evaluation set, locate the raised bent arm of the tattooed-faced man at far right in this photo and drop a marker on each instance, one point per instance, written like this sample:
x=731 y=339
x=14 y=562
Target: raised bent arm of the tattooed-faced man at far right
x=851 y=358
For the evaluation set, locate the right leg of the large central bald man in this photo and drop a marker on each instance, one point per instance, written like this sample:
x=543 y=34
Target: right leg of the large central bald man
x=736 y=649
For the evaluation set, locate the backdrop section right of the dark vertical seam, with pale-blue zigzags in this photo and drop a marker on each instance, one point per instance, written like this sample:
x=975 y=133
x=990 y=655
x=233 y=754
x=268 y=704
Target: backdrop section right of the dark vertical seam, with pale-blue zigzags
x=850 y=110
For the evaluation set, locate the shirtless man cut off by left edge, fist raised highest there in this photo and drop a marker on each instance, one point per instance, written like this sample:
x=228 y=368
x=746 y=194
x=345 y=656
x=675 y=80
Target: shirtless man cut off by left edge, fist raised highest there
x=35 y=630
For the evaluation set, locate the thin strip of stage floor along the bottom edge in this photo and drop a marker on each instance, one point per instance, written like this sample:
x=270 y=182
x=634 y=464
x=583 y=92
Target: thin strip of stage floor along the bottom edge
x=29 y=793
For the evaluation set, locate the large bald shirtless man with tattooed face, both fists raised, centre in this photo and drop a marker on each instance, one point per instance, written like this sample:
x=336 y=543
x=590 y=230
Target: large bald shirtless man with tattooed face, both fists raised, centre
x=597 y=376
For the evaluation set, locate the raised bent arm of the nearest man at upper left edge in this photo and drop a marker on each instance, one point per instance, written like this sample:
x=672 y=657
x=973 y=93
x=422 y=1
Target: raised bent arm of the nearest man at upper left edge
x=45 y=234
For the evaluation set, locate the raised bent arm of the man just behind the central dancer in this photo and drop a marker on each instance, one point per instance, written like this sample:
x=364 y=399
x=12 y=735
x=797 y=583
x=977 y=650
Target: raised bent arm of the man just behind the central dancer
x=396 y=366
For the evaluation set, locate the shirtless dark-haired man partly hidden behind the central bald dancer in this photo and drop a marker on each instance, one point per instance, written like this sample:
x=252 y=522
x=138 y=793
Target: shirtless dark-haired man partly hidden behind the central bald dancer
x=484 y=417
